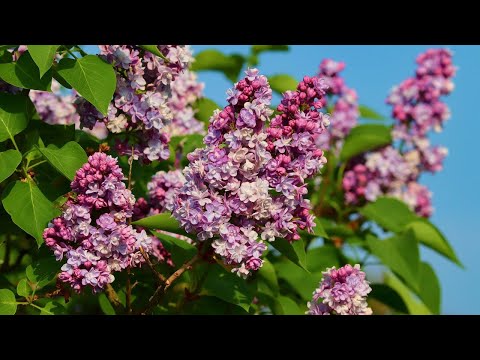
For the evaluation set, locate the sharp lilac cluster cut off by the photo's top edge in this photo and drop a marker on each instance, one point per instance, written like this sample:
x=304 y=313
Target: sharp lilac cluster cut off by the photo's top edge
x=140 y=102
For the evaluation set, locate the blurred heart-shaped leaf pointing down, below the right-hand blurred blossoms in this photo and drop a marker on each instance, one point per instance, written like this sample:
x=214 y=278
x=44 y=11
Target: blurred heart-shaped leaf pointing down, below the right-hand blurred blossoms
x=400 y=253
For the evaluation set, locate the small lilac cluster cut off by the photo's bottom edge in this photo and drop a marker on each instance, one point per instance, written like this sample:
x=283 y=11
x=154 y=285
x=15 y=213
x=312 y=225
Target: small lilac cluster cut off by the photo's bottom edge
x=341 y=292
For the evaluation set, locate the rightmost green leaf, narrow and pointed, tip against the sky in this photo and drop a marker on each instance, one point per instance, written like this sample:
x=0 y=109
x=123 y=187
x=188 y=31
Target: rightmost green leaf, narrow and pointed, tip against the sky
x=426 y=233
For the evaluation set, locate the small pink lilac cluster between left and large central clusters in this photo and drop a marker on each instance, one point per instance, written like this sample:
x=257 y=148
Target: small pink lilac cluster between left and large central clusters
x=162 y=190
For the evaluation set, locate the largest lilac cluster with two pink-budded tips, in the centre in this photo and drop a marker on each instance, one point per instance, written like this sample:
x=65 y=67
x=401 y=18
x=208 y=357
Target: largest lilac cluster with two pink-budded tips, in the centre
x=247 y=185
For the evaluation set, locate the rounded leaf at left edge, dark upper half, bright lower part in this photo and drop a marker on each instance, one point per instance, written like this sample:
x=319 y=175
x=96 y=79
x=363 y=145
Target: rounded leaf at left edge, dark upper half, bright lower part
x=15 y=113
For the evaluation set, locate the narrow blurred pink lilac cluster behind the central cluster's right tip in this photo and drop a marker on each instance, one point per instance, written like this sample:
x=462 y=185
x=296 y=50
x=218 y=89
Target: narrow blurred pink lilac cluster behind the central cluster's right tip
x=344 y=105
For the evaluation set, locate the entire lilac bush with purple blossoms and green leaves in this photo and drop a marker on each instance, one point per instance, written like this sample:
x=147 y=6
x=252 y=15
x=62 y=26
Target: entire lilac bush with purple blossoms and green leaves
x=126 y=191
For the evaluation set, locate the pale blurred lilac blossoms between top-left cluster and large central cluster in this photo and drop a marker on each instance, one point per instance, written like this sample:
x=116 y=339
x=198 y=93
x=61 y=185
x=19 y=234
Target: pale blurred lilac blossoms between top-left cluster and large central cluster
x=186 y=90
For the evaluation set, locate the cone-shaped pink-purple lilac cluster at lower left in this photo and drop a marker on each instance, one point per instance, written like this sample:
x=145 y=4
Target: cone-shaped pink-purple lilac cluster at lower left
x=92 y=232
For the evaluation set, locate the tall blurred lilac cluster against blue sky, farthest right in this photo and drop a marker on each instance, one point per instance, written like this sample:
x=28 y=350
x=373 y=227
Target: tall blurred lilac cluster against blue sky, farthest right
x=417 y=109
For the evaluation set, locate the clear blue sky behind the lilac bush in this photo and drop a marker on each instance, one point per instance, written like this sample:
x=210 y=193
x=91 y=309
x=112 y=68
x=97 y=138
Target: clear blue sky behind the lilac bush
x=372 y=71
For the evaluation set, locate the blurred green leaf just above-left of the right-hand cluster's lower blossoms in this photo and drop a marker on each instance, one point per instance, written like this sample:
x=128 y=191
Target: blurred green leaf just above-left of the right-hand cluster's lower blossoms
x=363 y=138
